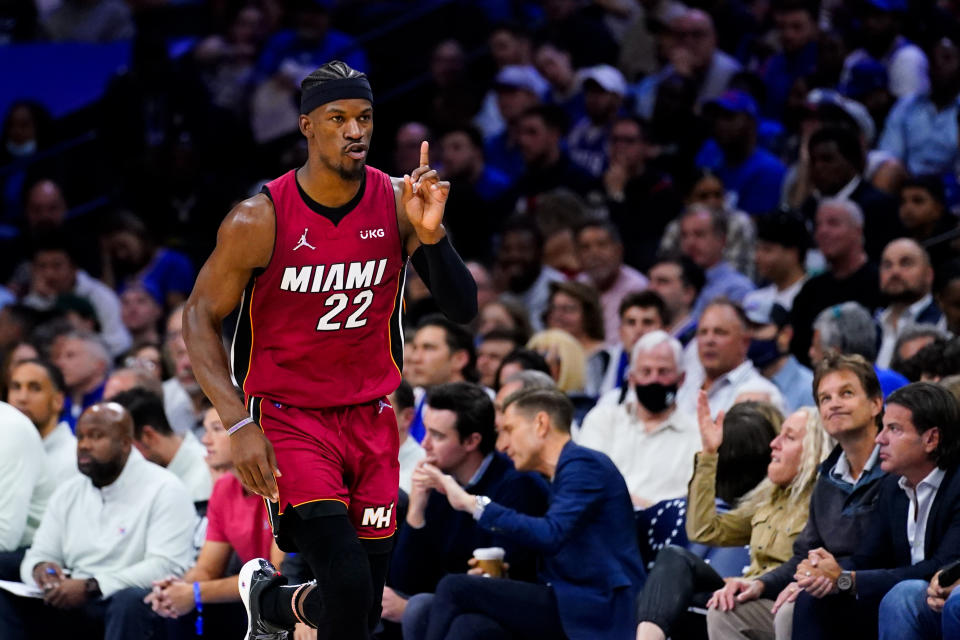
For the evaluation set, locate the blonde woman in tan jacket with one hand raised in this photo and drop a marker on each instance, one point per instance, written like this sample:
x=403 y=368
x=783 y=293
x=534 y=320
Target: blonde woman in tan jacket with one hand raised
x=768 y=518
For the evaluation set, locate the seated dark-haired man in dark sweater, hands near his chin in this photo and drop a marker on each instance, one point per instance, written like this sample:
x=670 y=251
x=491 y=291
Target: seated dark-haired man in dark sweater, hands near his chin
x=437 y=540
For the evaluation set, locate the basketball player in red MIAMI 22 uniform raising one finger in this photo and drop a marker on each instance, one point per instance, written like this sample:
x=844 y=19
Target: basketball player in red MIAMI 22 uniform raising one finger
x=316 y=262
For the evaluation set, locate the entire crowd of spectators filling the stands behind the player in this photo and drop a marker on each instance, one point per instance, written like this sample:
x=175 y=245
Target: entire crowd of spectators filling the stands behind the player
x=711 y=390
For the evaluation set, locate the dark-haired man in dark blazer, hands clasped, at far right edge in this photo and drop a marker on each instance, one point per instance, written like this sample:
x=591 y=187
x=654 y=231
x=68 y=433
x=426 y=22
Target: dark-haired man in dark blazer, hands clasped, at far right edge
x=916 y=525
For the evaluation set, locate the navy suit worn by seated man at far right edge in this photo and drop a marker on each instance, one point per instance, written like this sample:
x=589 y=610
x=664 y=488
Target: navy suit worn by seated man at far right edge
x=882 y=560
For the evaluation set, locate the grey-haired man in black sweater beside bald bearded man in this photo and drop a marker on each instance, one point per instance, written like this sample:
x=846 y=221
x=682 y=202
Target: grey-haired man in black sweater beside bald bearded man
x=850 y=275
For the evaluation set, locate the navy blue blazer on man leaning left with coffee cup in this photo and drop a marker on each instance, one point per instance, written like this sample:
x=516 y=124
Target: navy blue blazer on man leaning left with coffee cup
x=588 y=543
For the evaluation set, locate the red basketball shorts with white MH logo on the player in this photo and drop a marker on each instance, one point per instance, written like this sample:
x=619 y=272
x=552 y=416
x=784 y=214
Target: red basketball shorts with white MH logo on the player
x=333 y=461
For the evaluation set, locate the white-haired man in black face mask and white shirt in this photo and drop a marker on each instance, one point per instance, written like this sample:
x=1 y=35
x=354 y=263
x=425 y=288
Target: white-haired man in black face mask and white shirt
x=649 y=440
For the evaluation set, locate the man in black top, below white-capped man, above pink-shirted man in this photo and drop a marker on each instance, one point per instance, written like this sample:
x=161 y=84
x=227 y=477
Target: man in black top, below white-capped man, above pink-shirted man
x=631 y=185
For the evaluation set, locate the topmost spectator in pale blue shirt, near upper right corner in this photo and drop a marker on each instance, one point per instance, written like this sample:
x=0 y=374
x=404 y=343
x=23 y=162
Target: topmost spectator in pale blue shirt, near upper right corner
x=882 y=42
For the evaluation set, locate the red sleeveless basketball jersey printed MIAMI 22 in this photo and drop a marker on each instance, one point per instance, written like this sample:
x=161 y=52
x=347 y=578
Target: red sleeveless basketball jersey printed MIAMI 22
x=320 y=326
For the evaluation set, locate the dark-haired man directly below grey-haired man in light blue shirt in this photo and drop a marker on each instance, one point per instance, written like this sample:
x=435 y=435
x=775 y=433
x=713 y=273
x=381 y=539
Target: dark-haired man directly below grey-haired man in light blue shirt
x=678 y=281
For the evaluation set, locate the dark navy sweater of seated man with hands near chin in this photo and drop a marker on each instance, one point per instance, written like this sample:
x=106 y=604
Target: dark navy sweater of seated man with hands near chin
x=446 y=542
